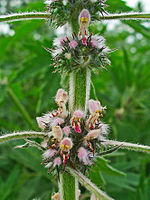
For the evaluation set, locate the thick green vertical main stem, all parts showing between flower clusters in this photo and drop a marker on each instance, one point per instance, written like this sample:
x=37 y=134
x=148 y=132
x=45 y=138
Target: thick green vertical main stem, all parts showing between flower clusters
x=79 y=92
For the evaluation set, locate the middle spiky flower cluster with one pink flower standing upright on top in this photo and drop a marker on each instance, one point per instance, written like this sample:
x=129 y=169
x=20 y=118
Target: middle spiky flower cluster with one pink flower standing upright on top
x=72 y=53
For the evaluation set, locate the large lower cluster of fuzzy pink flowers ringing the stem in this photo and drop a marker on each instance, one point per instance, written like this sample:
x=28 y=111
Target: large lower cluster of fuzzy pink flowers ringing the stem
x=72 y=139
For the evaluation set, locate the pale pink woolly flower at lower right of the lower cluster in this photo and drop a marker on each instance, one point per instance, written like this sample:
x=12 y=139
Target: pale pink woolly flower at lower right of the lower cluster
x=83 y=156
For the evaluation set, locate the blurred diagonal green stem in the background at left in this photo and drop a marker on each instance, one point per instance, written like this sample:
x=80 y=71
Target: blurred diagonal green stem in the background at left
x=21 y=108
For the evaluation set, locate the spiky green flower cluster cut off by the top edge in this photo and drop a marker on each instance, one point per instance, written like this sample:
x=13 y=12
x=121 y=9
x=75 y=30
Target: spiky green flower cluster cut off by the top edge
x=62 y=10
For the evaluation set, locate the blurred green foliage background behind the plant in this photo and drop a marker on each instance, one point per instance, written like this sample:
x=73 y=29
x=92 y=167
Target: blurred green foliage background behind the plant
x=28 y=87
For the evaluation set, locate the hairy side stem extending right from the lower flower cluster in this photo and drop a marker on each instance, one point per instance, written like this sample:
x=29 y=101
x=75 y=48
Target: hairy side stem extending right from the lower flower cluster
x=129 y=146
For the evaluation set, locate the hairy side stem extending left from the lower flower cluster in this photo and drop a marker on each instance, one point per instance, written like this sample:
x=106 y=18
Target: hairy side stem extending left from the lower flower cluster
x=21 y=135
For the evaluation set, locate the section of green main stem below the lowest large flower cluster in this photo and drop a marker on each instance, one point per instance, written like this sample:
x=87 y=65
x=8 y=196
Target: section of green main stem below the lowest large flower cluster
x=68 y=187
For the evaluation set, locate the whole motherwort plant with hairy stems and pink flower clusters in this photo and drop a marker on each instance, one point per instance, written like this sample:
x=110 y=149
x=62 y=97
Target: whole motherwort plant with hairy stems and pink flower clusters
x=75 y=135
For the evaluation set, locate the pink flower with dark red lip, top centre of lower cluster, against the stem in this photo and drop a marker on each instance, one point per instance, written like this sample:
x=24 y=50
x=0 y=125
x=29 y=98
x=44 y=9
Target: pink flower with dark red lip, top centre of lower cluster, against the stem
x=76 y=120
